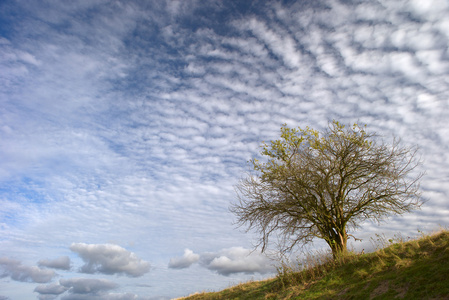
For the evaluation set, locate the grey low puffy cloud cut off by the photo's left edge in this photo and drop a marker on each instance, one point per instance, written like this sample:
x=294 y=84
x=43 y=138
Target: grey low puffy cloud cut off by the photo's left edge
x=16 y=271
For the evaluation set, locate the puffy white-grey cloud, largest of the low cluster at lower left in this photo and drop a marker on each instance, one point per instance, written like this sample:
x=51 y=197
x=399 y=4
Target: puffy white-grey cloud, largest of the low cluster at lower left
x=109 y=259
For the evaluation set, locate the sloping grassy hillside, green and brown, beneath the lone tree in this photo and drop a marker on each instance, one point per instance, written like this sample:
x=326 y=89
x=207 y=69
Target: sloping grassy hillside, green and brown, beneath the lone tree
x=417 y=269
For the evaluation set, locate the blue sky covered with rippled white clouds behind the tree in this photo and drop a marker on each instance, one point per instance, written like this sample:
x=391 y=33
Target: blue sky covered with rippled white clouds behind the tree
x=125 y=125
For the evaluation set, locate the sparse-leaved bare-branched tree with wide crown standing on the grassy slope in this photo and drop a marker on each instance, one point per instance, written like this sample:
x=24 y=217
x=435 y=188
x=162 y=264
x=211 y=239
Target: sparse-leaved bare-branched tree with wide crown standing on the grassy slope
x=319 y=185
